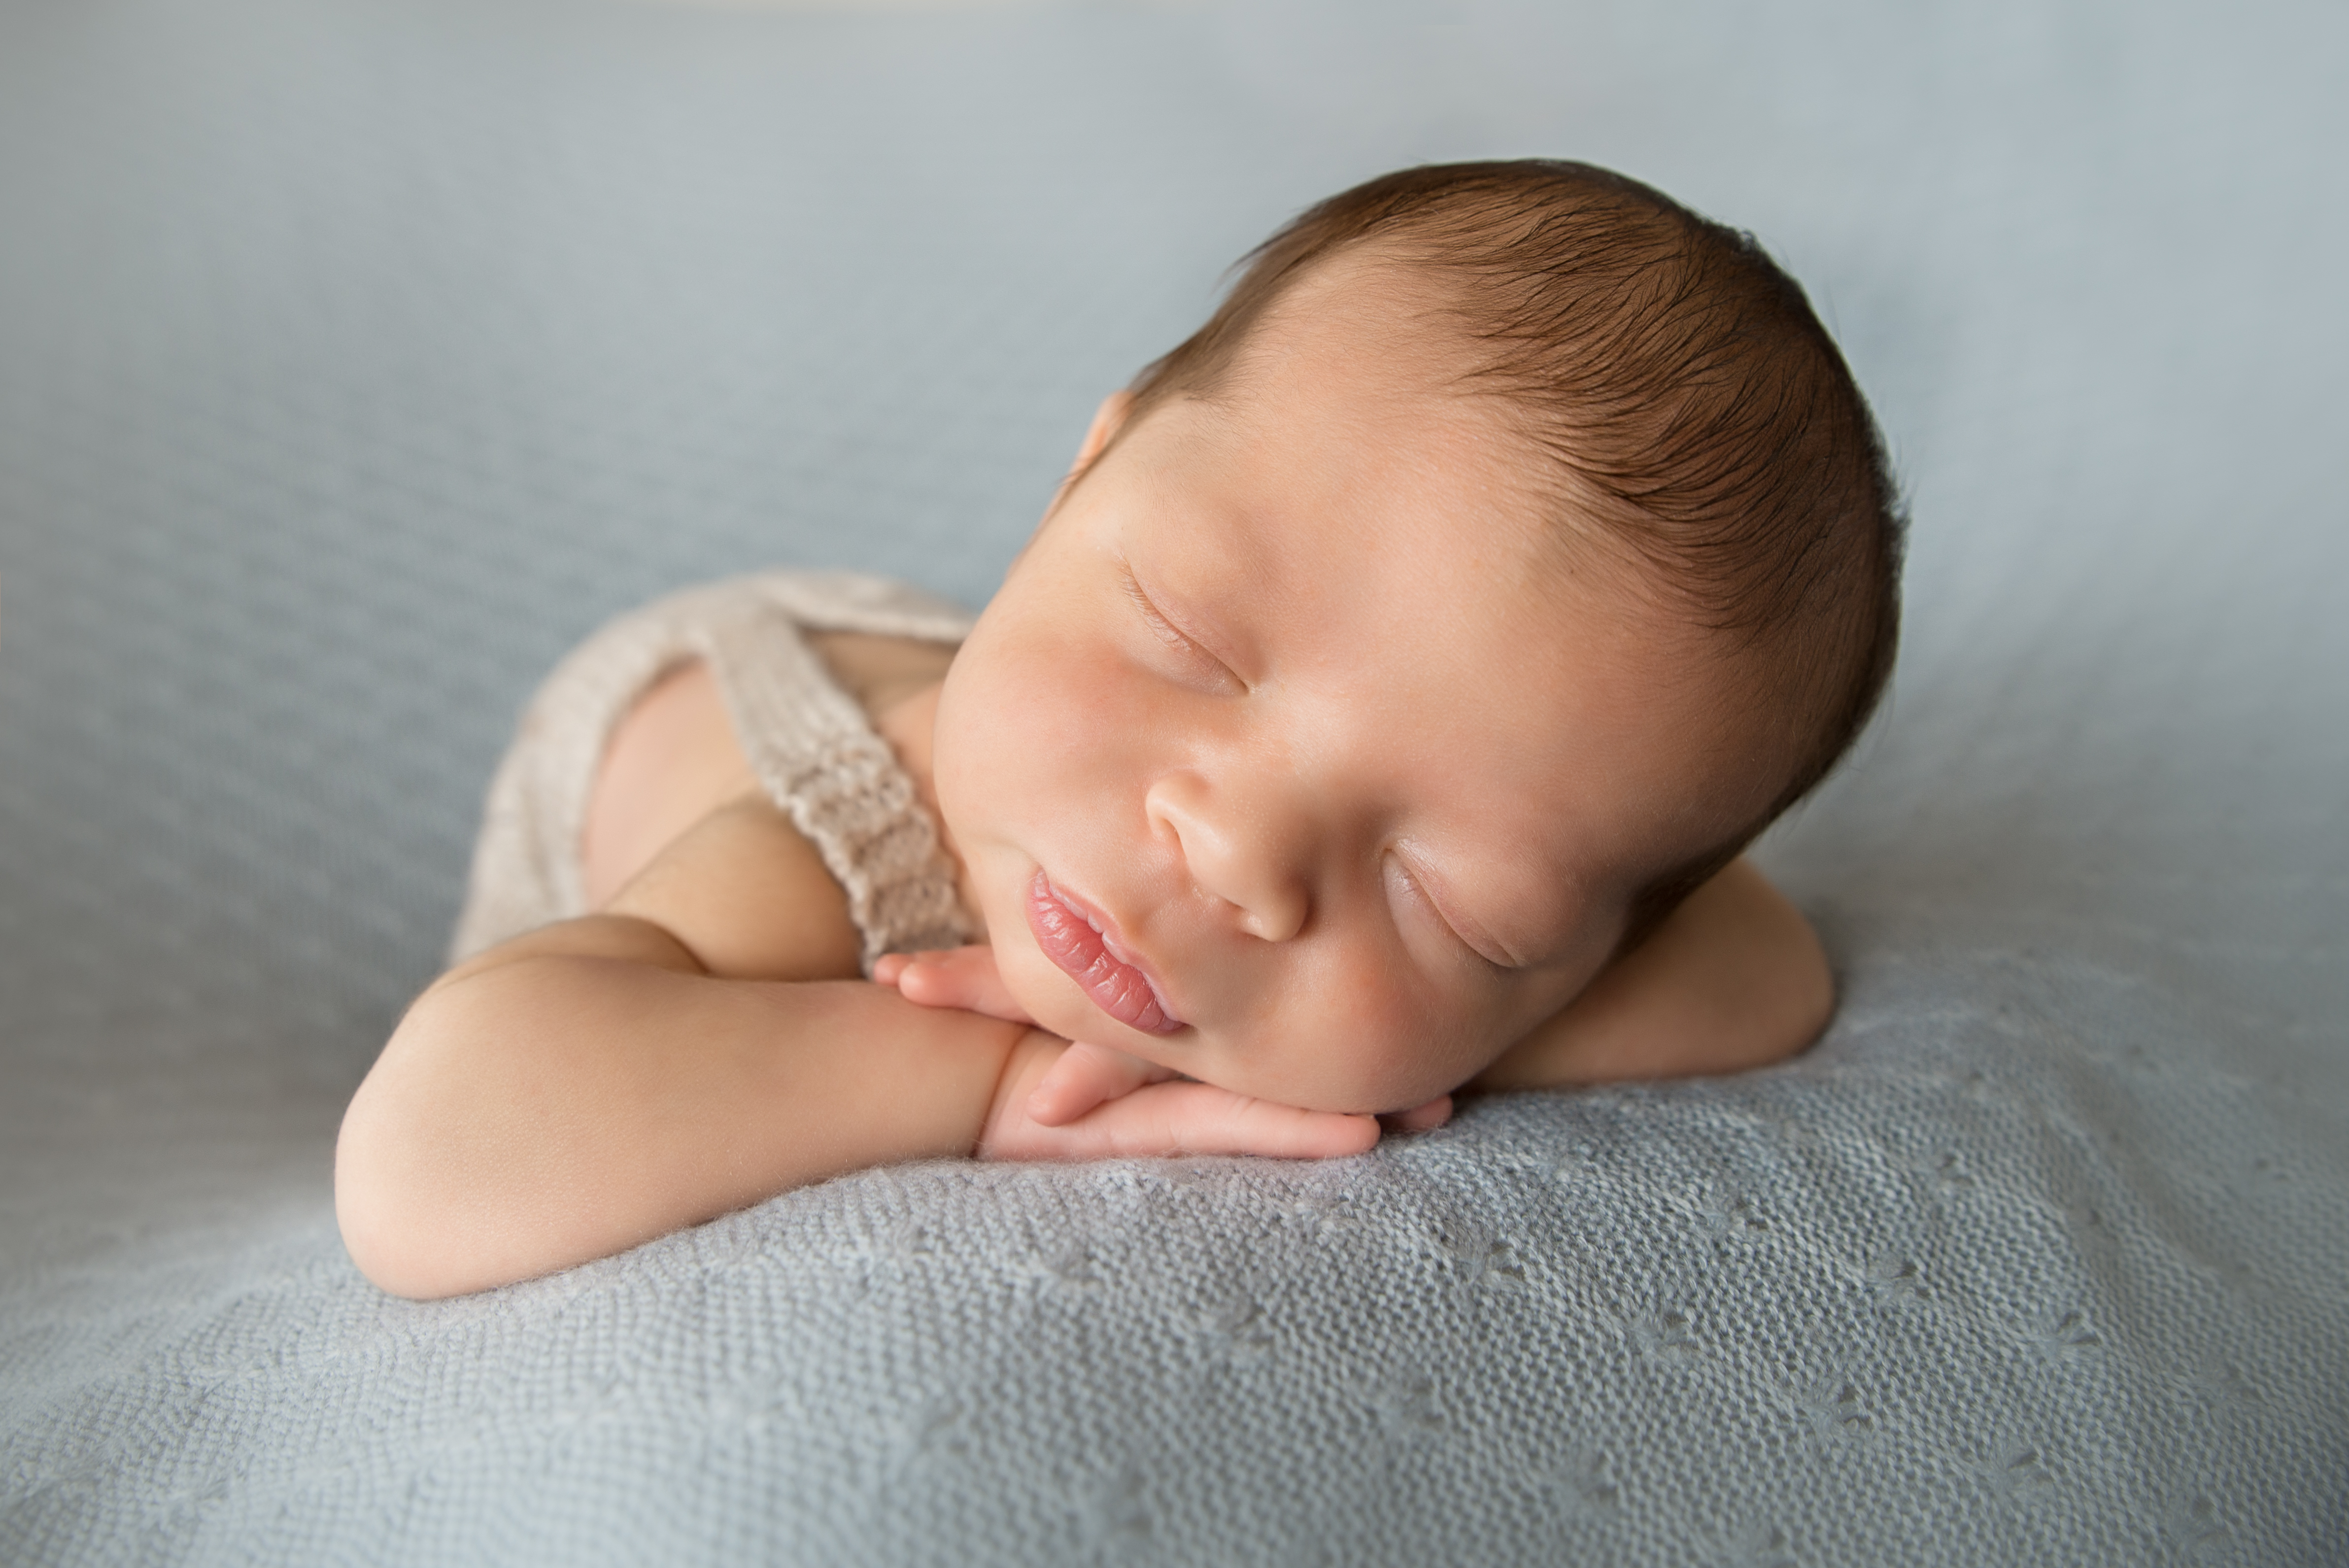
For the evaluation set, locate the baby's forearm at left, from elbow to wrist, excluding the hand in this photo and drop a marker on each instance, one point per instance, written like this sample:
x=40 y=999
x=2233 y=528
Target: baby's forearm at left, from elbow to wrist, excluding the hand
x=586 y=1090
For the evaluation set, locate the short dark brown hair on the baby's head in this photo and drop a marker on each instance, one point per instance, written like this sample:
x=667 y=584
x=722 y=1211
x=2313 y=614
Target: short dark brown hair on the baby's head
x=1688 y=398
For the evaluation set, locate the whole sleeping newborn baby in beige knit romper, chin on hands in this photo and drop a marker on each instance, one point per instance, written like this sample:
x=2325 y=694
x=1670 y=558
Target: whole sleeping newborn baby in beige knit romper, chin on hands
x=1378 y=712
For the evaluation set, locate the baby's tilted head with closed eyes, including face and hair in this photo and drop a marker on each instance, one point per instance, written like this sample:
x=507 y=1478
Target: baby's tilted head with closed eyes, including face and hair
x=1507 y=550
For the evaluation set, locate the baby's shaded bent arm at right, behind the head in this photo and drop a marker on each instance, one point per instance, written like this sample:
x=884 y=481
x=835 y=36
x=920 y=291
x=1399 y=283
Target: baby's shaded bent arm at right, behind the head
x=1732 y=980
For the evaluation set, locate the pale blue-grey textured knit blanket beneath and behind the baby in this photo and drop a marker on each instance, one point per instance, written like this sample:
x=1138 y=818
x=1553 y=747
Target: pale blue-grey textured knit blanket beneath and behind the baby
x=358 y=358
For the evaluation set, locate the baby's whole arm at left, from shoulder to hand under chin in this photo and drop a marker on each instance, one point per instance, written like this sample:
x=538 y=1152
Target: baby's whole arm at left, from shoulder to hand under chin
x=605 y=1081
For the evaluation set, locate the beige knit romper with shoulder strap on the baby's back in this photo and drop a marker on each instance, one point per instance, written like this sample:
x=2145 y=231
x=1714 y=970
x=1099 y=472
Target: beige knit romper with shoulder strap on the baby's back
x=809 y=743
